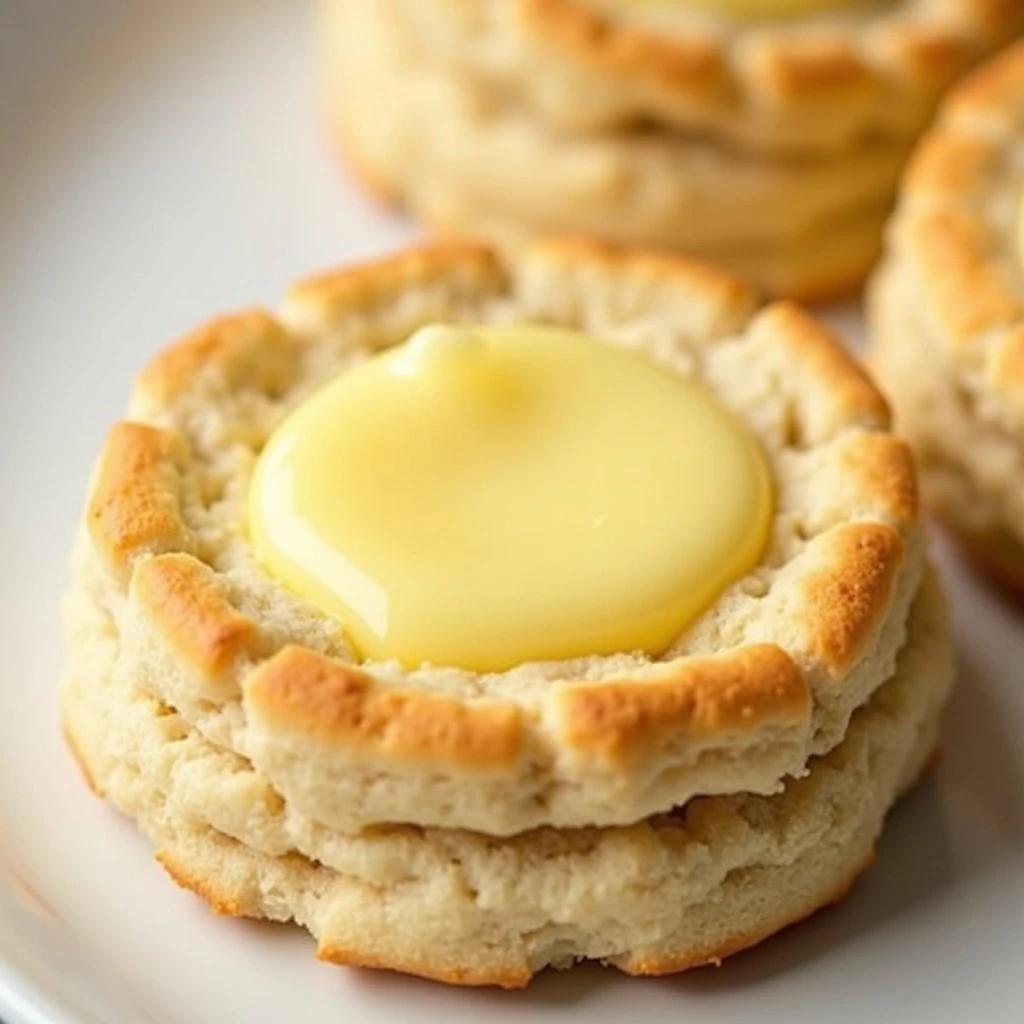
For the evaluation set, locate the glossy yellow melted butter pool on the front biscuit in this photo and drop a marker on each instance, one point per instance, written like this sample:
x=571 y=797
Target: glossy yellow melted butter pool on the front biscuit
x=484 y=498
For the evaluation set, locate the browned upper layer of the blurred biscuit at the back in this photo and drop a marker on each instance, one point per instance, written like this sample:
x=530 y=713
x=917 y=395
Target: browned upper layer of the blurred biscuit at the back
x=819 y=82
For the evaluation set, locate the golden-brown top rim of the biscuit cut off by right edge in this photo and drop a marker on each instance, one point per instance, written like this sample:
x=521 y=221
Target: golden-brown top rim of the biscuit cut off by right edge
x=955 y=232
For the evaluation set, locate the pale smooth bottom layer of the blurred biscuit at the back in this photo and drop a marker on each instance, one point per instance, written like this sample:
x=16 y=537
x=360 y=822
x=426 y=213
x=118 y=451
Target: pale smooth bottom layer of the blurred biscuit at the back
x=422 y=134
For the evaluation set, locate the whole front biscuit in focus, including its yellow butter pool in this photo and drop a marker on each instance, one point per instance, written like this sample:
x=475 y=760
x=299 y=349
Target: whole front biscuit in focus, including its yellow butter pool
x=564 y=606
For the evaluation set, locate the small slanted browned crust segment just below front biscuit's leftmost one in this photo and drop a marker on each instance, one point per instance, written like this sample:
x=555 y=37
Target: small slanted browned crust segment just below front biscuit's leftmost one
x=181 y=598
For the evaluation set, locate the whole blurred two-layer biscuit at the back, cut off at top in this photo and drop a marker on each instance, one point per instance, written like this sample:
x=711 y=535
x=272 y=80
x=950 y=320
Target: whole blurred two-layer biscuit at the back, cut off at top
x=771 y=146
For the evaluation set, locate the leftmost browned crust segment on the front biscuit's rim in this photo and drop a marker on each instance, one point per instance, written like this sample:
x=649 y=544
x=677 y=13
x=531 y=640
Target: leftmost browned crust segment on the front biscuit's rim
x=134 y=508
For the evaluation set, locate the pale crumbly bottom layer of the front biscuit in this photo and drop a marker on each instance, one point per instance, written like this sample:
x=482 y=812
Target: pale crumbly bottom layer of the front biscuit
x=670 y=893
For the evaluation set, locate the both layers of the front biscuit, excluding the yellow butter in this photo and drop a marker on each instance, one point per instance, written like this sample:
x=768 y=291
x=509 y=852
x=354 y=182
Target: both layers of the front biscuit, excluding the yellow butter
x=653 y=814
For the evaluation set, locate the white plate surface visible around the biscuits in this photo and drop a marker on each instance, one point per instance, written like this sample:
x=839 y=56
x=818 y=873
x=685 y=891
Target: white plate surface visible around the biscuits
x=161 y=162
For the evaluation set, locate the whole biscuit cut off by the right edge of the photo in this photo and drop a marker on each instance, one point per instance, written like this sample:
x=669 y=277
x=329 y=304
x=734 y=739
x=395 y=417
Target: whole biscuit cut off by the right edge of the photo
x=948 y=316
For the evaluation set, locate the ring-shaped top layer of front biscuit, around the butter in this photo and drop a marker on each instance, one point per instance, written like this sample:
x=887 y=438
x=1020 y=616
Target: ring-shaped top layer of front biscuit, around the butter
x=767 y=678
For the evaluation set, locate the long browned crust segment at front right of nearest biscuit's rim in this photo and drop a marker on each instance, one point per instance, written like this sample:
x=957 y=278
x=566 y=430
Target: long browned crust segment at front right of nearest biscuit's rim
x=742 y=692
